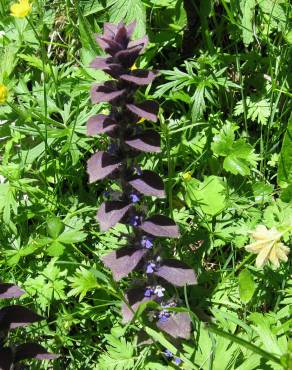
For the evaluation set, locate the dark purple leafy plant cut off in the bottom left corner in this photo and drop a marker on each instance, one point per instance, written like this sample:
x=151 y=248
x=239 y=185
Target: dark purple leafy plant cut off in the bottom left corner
x=12 y=317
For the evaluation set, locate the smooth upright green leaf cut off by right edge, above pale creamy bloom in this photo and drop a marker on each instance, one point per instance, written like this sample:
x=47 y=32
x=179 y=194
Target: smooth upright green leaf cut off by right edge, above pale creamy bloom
x=285 y=160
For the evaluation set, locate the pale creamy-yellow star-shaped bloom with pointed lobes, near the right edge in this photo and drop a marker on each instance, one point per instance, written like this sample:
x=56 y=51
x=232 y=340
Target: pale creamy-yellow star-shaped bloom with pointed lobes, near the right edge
x=267 y=246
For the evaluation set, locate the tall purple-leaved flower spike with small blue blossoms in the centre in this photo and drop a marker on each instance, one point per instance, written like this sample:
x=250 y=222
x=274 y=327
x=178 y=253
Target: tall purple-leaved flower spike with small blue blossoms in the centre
x=120 y=163
